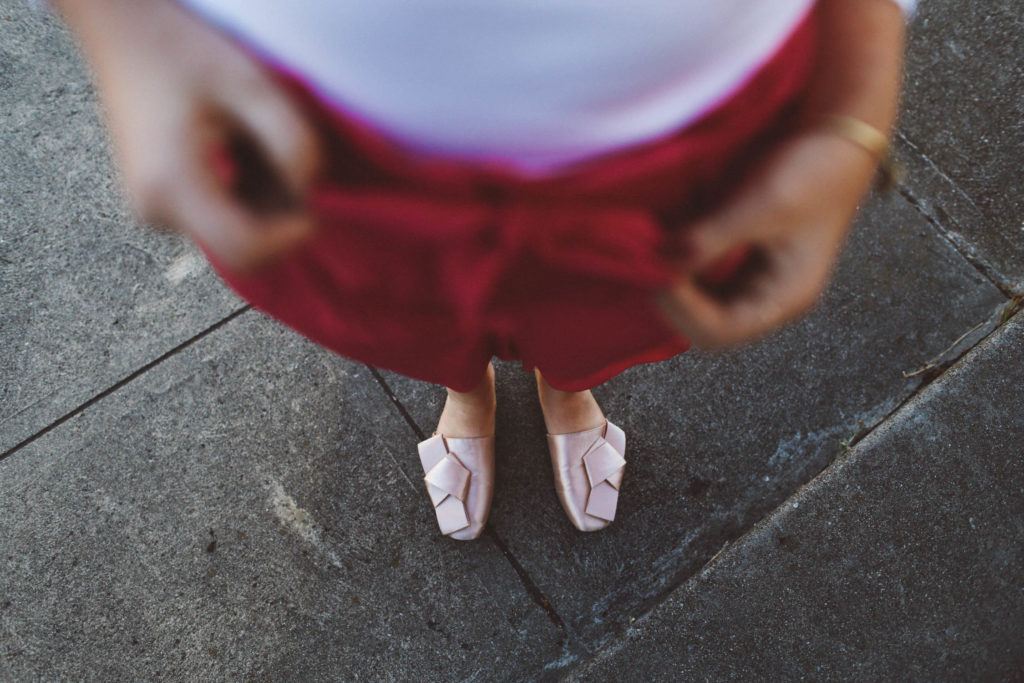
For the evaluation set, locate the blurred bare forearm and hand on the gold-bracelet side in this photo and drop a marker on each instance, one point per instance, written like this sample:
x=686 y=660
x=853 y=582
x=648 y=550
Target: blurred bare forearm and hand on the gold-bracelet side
x=796 y=210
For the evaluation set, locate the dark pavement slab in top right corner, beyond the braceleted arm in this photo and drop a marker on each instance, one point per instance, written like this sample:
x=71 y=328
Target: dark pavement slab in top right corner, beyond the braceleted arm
x=961 y=129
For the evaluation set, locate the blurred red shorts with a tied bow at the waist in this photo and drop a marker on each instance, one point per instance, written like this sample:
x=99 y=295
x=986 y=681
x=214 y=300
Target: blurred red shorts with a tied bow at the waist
x=431 y=267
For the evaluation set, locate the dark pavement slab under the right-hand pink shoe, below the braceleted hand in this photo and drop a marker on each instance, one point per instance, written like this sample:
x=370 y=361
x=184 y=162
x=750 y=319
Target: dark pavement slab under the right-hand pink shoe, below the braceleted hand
x=716 y=442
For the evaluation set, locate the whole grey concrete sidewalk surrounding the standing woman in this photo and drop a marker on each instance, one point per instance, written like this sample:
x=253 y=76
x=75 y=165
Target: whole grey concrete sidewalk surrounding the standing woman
x=189 y=491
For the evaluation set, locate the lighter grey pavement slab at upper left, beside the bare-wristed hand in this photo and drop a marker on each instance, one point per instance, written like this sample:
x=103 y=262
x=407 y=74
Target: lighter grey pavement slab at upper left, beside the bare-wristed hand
x=88 y=296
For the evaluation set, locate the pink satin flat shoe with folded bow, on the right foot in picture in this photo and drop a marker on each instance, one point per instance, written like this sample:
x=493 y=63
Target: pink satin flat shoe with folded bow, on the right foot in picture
x=589 y=467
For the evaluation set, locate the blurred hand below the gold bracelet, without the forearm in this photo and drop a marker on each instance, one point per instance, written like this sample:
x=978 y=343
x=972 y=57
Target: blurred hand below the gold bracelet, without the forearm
x=795 y=212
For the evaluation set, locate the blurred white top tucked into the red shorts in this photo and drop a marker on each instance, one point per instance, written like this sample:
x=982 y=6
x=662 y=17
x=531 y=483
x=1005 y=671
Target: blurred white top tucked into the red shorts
x=534 y=83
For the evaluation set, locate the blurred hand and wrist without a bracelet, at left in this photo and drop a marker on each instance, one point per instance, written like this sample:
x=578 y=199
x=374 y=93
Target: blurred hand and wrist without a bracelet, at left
x=175 y=90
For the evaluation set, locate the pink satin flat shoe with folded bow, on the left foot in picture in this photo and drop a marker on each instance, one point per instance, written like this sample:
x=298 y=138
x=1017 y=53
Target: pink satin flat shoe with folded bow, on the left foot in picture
x=460 y=479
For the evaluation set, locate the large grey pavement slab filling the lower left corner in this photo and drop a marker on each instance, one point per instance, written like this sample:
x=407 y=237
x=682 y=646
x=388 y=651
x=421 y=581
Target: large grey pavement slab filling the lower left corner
x=238 y=513
